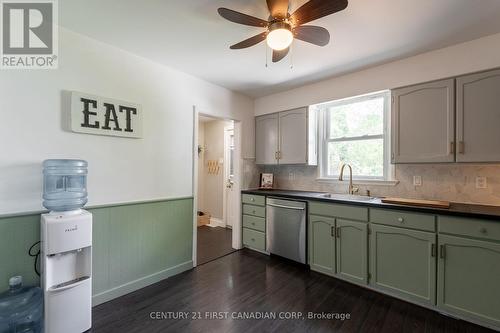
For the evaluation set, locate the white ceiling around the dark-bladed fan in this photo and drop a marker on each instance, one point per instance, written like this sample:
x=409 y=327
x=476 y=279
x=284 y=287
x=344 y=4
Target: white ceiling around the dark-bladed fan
x=190 y=36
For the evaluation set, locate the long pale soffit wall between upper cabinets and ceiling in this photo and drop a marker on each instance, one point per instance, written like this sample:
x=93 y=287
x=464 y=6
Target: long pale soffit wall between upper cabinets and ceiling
x=476 y=55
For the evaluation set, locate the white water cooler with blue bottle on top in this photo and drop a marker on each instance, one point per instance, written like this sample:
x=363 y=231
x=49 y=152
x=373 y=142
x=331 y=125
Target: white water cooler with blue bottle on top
x=66 y=248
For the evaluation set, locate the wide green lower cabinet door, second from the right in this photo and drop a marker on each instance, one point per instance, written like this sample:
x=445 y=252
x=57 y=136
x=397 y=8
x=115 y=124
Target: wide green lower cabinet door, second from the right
x=403 y=263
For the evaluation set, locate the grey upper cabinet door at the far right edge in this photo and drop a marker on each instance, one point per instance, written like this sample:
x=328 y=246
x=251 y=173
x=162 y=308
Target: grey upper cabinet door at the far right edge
x=478 y=117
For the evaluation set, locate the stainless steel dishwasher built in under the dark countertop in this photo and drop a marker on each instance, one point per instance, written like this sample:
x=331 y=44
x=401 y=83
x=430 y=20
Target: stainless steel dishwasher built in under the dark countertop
x=286 y=228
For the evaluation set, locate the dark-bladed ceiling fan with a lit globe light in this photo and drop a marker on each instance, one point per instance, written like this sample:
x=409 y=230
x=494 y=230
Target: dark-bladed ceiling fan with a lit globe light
x=282 y=27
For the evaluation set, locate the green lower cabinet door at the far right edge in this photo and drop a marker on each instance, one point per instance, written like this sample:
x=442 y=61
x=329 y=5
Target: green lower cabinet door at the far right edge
x=469 y=278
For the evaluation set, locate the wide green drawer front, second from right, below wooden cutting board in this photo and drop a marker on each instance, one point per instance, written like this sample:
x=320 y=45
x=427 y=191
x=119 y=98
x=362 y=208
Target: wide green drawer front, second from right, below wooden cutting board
x=403 y=219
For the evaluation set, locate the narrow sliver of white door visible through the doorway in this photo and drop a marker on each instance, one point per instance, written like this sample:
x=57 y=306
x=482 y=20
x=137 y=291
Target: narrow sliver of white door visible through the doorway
x=230 y=200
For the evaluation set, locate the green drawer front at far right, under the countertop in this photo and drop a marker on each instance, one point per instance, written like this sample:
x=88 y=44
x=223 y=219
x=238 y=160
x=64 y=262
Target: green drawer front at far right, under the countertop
x=469 y=227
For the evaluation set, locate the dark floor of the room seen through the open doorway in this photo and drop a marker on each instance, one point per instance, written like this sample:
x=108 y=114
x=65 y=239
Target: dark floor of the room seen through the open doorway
x=213 y=243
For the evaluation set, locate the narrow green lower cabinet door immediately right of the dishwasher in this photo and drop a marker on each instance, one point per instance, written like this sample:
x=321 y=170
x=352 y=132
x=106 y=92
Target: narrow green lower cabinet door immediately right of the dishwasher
x=322 y=244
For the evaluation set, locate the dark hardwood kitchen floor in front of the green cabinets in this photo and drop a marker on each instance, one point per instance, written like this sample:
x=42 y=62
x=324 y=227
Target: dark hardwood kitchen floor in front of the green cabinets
x=246 y=281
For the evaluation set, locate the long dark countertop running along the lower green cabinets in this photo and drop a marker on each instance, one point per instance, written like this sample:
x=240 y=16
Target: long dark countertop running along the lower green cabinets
x=456 y=209
